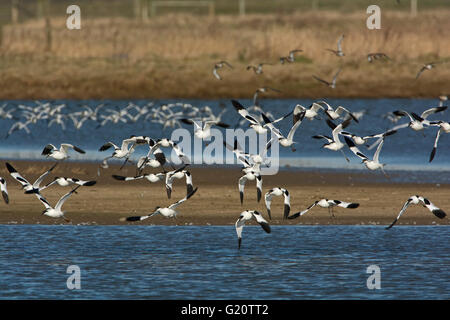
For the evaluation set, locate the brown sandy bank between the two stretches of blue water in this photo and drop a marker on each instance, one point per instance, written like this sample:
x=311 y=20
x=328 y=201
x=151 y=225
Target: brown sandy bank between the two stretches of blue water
x=217 y=199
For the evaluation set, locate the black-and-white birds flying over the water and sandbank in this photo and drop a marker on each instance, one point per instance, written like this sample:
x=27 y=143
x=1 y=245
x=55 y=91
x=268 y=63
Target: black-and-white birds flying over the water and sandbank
x=337 y=118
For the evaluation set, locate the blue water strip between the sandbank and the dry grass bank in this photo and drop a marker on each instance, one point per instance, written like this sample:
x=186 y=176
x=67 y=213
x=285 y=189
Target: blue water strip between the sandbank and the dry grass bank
x=405 y=151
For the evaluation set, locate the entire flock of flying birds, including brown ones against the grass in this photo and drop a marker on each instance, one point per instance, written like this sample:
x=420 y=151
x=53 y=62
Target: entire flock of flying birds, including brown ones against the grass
x=202 y=119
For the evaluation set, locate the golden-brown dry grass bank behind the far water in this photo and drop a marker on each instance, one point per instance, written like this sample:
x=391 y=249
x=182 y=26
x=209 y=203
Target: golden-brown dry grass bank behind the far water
x=173 y=56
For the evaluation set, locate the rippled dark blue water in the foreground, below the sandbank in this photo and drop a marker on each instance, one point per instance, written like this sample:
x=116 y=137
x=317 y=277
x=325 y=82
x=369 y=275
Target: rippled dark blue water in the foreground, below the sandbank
x=192 y=262
